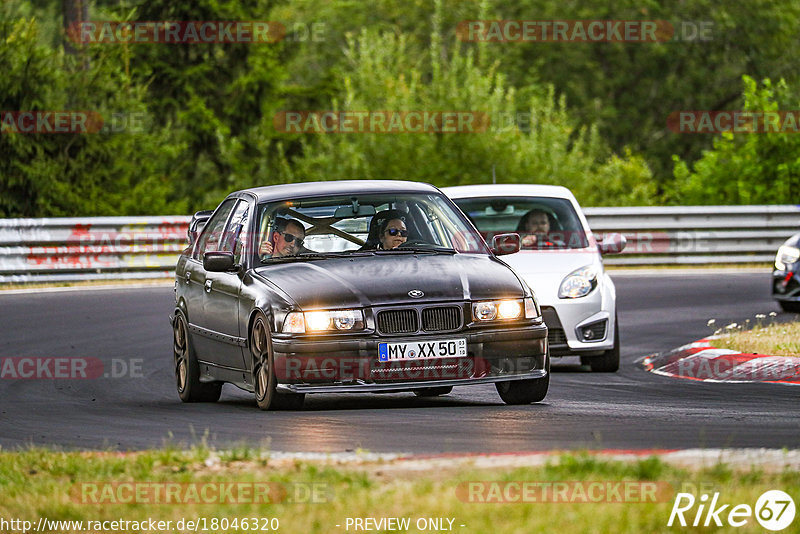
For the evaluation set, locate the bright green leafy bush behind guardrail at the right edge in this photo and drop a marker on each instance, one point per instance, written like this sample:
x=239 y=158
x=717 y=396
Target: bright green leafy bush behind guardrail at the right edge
x=746 y=168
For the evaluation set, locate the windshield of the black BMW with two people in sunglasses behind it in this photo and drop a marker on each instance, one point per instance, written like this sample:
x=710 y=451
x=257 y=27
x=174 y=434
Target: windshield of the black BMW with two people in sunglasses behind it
x=307 y=229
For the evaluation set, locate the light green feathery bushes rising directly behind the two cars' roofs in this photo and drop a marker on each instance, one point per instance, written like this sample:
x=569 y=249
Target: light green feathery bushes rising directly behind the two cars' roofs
x=547 y=148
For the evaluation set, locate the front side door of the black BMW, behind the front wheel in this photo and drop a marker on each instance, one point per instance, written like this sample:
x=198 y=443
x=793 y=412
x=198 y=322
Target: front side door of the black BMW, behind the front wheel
x=221 y=294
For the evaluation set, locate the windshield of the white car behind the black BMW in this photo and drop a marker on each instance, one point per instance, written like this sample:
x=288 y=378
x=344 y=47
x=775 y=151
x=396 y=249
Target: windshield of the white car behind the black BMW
x=554 y=220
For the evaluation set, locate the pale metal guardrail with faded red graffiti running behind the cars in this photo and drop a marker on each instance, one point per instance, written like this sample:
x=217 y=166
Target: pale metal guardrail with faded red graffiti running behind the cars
x=65 y=249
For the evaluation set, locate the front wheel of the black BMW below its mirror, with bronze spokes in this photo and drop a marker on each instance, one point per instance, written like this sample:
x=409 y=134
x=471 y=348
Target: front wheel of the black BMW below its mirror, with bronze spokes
x=264 y=380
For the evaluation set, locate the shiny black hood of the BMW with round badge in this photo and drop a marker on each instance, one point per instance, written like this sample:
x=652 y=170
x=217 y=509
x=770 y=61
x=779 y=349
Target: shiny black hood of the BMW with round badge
x=387 y=279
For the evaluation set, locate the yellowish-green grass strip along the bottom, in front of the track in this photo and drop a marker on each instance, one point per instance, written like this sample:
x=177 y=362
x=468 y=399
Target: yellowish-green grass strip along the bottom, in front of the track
x=39 y=482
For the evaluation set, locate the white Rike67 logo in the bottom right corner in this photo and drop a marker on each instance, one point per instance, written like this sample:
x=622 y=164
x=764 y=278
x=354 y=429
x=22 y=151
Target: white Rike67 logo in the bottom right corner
x=774 y=510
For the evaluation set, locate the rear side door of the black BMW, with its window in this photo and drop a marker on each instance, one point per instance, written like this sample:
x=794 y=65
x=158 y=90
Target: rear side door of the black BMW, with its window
x=195 y=279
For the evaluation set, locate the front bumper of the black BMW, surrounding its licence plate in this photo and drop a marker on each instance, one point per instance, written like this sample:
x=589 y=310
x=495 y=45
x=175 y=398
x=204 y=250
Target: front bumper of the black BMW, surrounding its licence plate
x=352 y=365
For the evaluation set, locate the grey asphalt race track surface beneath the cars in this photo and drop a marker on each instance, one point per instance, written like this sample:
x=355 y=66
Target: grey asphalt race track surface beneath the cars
x=626 y=410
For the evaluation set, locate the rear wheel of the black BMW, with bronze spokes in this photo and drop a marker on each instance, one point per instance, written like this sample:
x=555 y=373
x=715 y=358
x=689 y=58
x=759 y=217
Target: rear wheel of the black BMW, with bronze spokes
x=187 y=370
